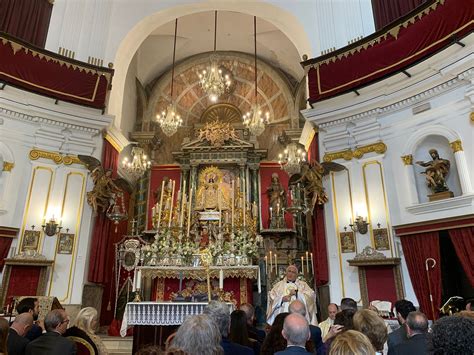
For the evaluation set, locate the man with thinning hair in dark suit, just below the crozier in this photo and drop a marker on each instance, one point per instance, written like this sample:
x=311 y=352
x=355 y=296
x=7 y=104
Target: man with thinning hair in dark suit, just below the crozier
x=417 y=329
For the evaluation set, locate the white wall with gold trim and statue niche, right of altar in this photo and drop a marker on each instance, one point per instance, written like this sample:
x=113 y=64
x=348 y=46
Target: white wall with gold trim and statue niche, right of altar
x=380 y=185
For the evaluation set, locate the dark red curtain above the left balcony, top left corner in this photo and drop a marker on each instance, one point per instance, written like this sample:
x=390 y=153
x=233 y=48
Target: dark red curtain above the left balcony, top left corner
x=26 y=19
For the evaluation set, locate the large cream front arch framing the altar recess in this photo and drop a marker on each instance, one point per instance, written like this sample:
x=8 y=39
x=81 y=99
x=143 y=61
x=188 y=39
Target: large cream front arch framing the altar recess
x=280 y=18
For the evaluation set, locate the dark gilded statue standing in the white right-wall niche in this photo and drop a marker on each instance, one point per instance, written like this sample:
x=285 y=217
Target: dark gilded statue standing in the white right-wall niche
x=436 y=173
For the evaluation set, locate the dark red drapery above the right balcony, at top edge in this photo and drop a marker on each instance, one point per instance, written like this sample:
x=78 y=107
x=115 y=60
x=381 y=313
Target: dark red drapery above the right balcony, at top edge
x=387 y=11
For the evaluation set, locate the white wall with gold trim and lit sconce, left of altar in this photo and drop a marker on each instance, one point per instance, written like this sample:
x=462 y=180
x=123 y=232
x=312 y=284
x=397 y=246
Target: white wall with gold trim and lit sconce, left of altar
x=35 y=189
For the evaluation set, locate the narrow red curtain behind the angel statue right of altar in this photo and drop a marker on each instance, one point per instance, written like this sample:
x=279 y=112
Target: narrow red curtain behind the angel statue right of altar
x=321 y=269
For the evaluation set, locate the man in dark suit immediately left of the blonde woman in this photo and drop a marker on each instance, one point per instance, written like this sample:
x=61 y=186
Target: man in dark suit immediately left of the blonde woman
x=52 y=342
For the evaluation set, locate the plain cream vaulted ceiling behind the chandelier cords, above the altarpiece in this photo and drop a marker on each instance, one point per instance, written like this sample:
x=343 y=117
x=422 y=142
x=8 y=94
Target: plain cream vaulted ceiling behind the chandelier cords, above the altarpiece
x=234 y=33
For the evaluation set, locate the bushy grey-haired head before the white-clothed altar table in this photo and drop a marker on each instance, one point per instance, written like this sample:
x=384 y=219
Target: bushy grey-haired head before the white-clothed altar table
x=198 y=334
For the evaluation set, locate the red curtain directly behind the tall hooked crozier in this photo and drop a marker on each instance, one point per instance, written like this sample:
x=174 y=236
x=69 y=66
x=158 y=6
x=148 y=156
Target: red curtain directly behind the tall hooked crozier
x=417 y=248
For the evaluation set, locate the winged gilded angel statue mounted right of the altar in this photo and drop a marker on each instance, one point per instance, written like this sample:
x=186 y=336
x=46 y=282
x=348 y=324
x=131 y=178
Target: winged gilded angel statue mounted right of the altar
x=312 y=180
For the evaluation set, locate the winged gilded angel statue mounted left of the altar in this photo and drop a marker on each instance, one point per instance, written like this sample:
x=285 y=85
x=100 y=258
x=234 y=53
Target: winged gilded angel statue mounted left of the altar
x=105 y=187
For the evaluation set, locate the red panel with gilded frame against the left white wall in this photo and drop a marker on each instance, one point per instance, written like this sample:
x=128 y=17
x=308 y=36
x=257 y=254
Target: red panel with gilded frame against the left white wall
x=24 y=276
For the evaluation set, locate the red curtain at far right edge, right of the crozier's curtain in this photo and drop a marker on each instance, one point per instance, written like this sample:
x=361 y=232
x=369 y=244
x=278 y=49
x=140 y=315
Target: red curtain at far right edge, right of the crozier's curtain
x=463 y=241
